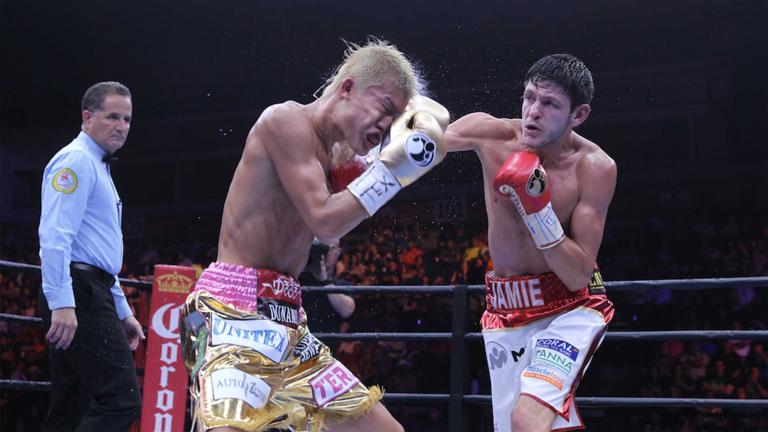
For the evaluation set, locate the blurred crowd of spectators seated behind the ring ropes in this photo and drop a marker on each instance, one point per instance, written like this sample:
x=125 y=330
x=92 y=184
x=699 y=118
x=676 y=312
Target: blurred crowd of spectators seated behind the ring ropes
x=449 y=254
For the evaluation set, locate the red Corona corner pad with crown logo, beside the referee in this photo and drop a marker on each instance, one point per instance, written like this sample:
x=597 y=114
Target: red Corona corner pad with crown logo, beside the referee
x=165 y=377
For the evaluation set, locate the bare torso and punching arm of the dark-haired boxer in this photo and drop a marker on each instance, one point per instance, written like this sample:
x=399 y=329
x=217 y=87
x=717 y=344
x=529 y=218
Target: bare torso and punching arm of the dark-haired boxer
x=574 y=164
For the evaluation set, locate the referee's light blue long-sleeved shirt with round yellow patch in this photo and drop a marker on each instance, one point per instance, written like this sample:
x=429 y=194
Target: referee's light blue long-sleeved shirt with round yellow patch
x=80 y=221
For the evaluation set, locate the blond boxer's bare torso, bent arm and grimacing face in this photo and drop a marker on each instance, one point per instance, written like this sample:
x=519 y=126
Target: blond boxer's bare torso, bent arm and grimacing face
x=280 y=198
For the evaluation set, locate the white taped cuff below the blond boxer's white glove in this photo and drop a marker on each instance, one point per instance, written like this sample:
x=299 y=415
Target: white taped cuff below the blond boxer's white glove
x=375 y=187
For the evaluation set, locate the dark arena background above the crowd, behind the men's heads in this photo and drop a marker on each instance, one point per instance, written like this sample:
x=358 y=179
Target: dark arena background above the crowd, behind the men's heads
x=680 y=99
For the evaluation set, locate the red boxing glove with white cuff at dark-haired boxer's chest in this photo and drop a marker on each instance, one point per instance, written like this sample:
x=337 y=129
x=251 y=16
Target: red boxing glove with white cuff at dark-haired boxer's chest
x=524 y=181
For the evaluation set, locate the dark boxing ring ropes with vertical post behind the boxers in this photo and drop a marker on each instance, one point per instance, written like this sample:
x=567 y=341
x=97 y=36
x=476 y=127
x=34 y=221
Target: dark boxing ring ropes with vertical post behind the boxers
x=459 y=337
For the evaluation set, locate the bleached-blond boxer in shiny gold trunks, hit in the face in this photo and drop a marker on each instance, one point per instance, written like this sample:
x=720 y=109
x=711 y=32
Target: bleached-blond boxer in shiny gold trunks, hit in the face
x=254 y=363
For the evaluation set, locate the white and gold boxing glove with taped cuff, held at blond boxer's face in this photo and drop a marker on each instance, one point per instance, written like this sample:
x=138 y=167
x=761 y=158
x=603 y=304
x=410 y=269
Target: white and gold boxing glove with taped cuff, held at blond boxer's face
x=414 y=145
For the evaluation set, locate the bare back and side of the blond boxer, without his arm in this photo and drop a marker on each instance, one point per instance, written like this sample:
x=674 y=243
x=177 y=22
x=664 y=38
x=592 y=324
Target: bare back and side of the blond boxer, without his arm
x=261 y=227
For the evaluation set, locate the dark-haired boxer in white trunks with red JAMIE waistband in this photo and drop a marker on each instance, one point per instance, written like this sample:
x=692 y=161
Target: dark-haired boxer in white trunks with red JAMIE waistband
x=547 y=192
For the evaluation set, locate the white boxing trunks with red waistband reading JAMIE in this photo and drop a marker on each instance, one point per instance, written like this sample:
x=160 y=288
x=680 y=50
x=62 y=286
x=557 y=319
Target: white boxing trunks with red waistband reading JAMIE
x=539 y=339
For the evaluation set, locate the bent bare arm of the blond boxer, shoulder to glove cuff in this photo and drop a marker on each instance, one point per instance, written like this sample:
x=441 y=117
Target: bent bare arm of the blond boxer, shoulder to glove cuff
x=292 y=148
